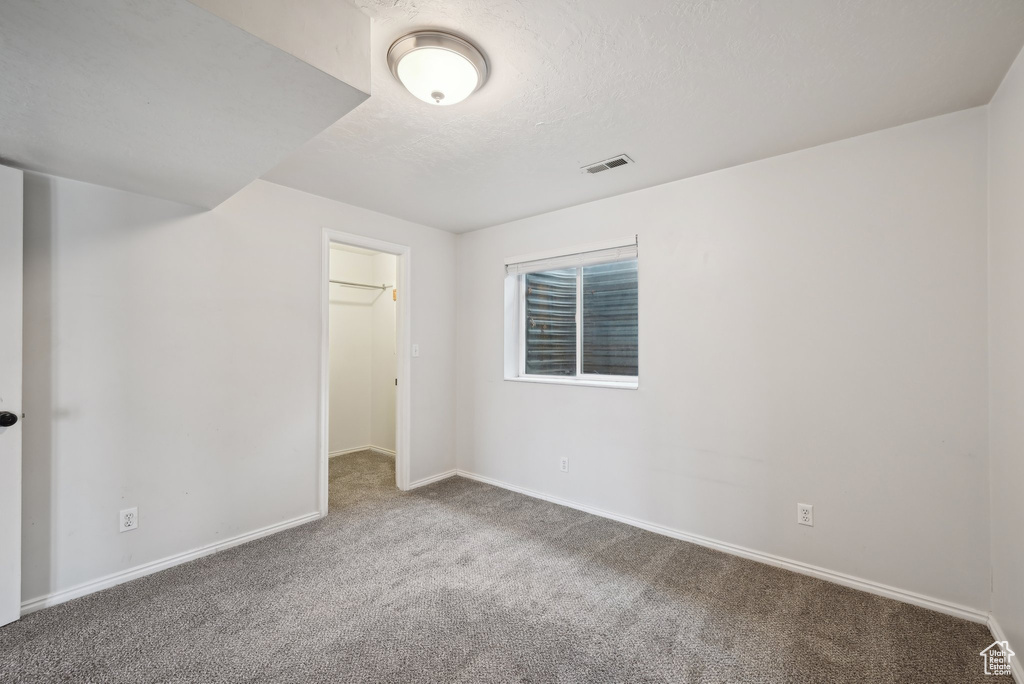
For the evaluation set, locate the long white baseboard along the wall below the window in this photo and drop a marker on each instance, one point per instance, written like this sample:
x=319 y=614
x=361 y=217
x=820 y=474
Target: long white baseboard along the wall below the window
x=771 y=560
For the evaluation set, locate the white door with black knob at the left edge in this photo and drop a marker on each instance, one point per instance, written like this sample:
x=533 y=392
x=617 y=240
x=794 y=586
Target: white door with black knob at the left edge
x=11 y=394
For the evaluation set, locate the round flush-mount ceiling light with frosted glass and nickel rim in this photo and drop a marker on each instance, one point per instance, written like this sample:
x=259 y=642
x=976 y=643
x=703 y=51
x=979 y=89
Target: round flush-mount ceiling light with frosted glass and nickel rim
x=438 y=68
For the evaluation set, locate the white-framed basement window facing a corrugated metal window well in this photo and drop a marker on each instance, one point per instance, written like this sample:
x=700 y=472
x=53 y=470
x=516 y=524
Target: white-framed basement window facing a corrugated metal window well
x=575 y=317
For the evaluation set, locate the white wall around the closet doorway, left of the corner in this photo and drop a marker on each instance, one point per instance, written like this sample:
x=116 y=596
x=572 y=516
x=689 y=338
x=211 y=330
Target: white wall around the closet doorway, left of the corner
x=173 y=363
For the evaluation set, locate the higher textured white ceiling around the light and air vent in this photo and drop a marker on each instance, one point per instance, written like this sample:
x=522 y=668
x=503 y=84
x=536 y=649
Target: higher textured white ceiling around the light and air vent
x=682 y=87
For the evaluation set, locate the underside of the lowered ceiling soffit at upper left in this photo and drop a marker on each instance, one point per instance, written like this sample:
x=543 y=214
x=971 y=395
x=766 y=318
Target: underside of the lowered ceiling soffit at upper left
x=156 y=97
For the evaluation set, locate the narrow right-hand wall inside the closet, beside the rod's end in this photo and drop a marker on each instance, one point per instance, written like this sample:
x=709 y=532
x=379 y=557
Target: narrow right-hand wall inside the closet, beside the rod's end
x=383 y=359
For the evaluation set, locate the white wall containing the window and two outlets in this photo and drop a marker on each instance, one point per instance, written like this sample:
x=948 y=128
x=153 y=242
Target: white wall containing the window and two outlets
x=813 y=329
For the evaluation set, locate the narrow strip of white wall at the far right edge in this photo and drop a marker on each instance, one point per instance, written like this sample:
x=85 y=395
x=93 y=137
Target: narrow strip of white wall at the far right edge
x=1006 y=259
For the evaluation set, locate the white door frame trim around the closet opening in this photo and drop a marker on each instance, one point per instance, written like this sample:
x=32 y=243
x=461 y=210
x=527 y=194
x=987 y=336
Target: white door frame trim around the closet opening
x=404 y=320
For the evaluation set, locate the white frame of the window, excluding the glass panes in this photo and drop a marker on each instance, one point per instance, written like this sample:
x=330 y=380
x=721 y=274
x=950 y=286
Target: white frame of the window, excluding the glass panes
x=519 y=338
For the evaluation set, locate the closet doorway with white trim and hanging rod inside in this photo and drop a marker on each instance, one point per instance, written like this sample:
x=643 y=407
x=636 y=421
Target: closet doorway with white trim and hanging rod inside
x=365 y=359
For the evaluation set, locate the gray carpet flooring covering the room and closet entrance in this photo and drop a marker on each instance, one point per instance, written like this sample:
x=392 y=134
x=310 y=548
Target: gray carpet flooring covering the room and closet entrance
x=461 y=582
